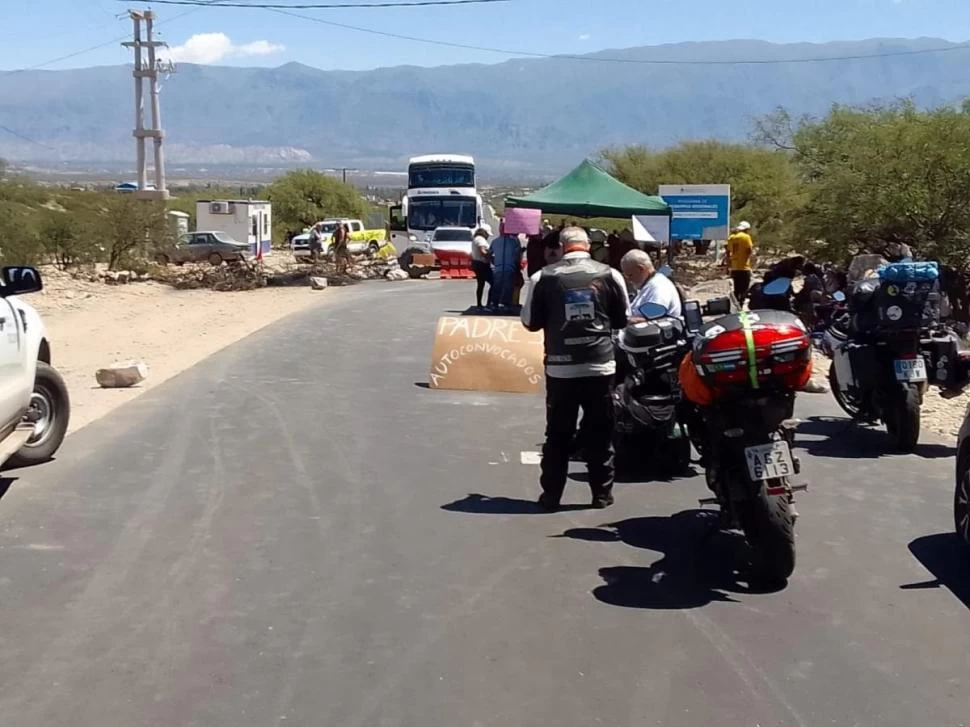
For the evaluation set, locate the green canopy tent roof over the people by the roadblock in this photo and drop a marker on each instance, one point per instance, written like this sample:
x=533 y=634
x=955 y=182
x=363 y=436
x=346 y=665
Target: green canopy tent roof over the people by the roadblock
x=588 y=191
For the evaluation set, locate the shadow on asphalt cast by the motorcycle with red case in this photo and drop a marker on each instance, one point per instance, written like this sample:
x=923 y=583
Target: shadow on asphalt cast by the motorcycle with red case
x=700 y=565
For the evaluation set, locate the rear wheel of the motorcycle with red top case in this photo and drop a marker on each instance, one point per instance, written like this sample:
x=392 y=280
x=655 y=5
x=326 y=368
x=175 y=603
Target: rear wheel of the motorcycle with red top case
x=768 y=523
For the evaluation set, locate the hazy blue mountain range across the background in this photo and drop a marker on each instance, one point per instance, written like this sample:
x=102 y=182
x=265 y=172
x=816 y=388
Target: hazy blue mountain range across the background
x=536 y=114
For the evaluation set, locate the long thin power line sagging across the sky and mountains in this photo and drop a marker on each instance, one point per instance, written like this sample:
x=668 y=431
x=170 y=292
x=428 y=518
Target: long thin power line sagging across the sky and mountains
x=606 y=59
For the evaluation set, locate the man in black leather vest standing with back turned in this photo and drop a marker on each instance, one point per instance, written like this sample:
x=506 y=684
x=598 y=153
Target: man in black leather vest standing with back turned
x=577 y=302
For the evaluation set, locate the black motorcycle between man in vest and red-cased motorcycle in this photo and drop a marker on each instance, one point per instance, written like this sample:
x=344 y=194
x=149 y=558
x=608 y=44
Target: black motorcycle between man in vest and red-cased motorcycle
x=647 y=398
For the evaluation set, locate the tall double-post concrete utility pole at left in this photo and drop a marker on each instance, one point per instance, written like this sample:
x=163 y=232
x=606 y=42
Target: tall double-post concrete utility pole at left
x=147 y=68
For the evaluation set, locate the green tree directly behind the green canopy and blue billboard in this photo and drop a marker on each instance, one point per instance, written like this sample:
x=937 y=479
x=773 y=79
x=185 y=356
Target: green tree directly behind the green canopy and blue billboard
x=763 y=183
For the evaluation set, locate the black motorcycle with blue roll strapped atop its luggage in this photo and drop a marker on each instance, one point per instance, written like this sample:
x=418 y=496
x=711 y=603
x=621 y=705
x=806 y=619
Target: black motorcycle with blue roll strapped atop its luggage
x=887 y=349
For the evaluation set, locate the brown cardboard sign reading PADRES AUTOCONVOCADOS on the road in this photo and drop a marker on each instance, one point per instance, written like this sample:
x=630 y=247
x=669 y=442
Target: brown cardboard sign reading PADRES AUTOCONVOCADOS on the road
x=479 y=353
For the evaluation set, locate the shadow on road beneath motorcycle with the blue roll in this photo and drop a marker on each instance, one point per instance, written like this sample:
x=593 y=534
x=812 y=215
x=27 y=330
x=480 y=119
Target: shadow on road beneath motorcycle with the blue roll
x=844 y=438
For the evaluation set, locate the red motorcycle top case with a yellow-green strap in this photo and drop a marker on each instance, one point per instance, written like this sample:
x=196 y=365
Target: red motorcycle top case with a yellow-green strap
x=779 y=355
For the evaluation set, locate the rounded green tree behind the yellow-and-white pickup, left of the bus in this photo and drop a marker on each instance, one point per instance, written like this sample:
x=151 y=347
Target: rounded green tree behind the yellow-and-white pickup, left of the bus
x=304 y=196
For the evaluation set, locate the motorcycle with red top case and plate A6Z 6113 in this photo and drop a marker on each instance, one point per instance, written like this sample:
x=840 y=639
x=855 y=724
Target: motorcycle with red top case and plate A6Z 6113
x=741 y=377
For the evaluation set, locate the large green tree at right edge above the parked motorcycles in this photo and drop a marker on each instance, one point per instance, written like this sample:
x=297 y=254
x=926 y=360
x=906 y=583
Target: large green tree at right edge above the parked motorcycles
x=881 y=174
